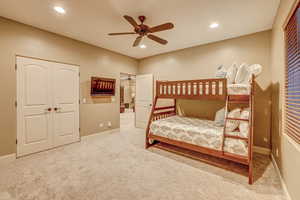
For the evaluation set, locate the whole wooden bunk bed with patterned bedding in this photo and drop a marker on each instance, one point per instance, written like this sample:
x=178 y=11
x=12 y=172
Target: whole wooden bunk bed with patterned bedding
x=201 y=135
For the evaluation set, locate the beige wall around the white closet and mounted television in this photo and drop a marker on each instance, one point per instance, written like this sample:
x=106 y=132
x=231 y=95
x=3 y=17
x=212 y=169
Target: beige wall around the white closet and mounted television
x=24 y=40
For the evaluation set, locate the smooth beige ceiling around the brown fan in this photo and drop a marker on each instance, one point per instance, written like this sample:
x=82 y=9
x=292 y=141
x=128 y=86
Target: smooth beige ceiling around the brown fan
x=91 y=20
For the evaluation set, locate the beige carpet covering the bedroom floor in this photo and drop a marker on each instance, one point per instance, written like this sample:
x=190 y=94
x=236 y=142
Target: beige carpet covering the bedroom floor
x=116 y=166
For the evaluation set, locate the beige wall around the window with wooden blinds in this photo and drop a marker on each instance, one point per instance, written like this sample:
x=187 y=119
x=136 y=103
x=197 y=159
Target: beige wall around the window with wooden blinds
x=288 y=159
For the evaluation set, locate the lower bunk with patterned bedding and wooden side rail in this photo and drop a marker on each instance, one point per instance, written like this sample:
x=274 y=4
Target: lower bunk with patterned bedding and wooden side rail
x=198 y=135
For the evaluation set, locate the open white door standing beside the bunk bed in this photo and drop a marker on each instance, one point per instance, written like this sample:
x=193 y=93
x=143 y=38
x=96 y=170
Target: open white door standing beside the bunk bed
x=144 y=99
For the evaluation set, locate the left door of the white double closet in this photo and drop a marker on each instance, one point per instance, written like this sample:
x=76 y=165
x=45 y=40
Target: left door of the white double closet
x=34 y=106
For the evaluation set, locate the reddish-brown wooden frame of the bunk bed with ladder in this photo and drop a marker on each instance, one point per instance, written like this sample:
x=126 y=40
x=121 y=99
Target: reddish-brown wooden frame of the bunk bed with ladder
x=206 y=89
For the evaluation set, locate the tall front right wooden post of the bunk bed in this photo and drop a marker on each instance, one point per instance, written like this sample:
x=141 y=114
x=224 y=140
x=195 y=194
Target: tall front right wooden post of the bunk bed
x=251 y=131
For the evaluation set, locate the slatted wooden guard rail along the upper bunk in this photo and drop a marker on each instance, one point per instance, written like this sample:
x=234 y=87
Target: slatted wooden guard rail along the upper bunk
x=210 y=89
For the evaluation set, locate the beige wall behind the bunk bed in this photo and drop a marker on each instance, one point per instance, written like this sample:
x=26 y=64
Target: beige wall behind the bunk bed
x=201 y=62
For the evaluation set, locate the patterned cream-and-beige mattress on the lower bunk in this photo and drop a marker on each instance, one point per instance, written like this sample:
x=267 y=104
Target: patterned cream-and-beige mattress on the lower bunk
x=198 y=132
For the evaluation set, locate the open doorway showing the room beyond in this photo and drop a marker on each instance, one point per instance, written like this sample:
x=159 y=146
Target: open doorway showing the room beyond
x=127 y=100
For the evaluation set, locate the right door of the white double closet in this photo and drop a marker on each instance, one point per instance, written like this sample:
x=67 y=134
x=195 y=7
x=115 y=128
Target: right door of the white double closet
x=65 y=79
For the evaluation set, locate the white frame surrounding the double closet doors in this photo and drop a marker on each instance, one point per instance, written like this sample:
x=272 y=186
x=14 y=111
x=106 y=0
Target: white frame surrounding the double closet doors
x=17 y=98
